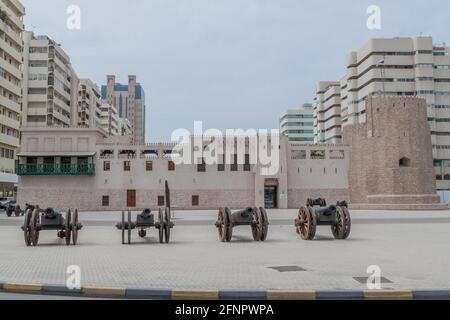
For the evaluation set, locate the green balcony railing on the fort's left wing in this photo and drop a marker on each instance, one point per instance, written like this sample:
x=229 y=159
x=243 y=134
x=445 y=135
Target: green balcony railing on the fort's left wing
x=55 y=170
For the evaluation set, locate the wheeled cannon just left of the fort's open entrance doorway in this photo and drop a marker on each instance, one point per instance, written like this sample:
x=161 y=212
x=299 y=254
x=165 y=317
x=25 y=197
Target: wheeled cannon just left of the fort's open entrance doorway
x=256 y=218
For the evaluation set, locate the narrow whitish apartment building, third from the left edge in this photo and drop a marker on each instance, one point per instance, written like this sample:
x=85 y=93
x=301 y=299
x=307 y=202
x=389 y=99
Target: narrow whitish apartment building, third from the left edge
x=89 y=105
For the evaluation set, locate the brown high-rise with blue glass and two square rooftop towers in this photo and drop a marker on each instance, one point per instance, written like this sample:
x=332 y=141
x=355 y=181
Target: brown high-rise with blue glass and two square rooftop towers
x=129 y=100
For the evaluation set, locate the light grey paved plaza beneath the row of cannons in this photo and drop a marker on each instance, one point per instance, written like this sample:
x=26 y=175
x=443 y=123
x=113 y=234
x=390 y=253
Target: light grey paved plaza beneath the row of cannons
x=411 y=248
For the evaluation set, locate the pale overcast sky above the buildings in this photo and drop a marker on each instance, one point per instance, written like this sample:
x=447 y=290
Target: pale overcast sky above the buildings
x=229 y=63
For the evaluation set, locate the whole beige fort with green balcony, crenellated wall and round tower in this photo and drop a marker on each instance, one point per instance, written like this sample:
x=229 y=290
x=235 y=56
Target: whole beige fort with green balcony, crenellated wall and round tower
x=379 y=166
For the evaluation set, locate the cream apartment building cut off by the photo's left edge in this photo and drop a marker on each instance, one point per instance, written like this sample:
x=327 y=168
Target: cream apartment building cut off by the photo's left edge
x=11 y=47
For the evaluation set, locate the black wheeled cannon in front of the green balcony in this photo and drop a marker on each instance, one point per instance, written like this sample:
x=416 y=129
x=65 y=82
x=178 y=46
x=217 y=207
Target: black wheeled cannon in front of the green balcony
x=37 y=220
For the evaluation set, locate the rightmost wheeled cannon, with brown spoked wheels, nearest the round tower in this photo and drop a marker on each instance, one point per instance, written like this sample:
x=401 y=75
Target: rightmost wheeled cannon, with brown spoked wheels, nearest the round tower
x=317 y=213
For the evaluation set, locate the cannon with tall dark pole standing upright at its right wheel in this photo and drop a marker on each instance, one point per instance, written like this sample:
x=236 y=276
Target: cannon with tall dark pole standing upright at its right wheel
x=146 y=220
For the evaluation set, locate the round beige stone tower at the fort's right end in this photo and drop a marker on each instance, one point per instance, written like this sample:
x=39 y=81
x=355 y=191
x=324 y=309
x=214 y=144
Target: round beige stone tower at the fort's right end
x=396 y=128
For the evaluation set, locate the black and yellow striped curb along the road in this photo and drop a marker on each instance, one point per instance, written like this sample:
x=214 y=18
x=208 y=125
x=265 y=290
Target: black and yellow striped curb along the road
x=256 y=295
